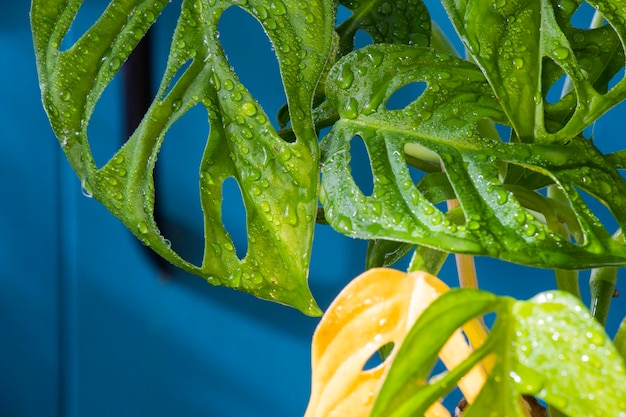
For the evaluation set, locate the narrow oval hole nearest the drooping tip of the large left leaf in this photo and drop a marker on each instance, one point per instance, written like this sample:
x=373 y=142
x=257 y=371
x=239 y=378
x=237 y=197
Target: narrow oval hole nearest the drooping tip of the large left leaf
x=234 y=216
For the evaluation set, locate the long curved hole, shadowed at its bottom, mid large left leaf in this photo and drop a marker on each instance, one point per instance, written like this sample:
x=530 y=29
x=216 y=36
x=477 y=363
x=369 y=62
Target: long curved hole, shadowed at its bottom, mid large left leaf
x=177 y=192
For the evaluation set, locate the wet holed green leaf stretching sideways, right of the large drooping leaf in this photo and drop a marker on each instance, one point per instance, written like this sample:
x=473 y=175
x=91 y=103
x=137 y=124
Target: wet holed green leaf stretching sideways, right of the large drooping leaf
x=443 y=124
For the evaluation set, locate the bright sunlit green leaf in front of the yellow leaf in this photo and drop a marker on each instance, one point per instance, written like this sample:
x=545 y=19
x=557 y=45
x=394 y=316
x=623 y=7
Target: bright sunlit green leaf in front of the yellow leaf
x=549 y=347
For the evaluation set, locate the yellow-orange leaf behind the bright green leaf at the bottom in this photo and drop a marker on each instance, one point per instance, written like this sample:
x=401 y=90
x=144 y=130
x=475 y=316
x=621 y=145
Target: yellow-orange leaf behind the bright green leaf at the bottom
x=378 y=307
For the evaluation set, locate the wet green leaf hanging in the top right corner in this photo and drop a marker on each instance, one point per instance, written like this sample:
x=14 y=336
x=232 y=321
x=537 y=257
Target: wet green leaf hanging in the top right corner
x=523 y=47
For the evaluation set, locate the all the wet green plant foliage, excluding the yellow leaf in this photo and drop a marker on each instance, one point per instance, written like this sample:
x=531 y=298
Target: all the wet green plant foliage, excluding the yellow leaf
x=443 y=146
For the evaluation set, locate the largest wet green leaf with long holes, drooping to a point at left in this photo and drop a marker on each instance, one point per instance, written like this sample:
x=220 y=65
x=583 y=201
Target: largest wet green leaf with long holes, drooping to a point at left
x=279 y=187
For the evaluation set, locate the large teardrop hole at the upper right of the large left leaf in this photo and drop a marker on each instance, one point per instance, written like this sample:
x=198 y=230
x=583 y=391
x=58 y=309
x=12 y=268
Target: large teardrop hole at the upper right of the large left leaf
x=253 y=59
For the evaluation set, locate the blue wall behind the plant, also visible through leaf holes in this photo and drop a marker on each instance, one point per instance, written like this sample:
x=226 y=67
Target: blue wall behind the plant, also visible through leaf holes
x=89 y=326
